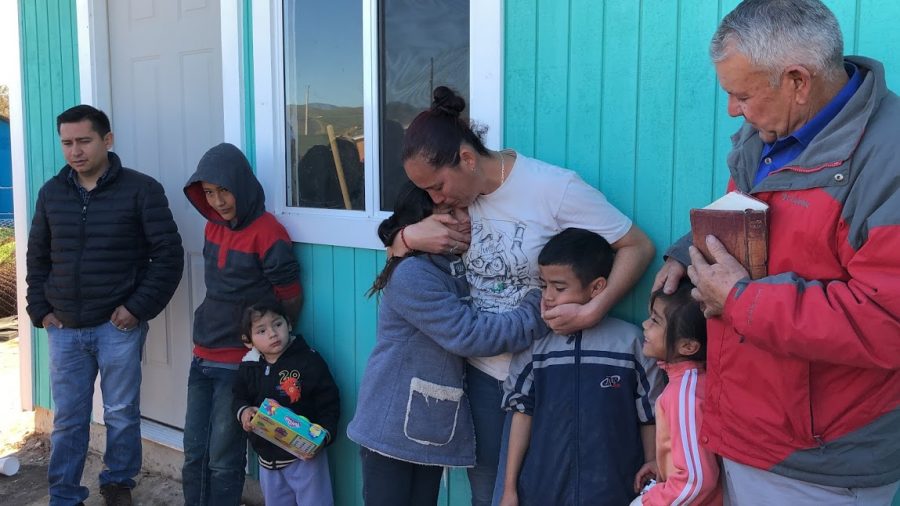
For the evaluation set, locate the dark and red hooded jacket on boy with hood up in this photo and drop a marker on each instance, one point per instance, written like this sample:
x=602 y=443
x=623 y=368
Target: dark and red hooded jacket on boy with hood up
x=246 y=260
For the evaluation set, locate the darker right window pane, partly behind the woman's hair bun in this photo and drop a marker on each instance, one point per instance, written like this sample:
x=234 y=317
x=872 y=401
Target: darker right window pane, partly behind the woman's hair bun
x=423 y=44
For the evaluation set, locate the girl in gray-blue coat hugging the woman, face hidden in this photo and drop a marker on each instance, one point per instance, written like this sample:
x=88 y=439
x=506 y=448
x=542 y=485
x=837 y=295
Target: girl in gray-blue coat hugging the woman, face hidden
x=412 y=415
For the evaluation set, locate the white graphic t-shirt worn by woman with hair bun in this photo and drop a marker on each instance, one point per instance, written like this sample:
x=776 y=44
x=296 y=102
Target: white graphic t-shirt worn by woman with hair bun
x=510 y=227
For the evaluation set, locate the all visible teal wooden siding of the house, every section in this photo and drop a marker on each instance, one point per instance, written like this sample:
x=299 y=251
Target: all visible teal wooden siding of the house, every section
x=621 y=91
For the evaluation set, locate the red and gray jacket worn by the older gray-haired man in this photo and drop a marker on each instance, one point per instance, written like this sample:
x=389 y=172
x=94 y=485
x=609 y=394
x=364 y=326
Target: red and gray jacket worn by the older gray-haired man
x=804 y=365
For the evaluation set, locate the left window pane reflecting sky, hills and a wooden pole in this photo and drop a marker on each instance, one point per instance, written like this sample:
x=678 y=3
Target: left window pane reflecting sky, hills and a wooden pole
x=323 y=86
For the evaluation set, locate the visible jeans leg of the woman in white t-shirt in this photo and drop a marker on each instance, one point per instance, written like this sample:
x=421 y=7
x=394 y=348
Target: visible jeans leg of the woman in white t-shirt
x=485 y=396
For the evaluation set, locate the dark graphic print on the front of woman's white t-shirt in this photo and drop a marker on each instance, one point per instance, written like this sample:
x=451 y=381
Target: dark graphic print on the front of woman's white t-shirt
x=496 y=267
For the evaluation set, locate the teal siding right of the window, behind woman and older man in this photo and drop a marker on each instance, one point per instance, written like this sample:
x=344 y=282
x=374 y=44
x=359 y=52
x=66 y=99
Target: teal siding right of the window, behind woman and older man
x=623 y=92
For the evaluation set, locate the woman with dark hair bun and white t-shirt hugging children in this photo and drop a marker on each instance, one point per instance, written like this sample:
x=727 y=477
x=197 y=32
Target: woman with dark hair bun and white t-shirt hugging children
x=515 y=204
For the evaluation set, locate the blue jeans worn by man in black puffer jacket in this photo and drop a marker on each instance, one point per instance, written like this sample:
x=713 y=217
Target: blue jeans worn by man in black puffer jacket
x=76 y=356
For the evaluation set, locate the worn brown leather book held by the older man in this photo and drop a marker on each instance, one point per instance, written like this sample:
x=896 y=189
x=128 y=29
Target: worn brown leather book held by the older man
x=740 y=222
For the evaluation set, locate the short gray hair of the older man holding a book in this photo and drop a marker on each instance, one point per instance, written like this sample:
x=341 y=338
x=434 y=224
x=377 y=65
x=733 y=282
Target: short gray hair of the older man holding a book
x=773 y=34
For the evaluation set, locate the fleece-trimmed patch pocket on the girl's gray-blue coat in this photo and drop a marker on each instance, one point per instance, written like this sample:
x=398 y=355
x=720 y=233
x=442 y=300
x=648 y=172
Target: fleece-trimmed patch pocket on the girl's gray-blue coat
x=431 y=412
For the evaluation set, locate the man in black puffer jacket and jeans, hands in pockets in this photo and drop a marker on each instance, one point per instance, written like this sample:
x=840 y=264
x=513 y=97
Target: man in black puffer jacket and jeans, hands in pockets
x=104 y=257
